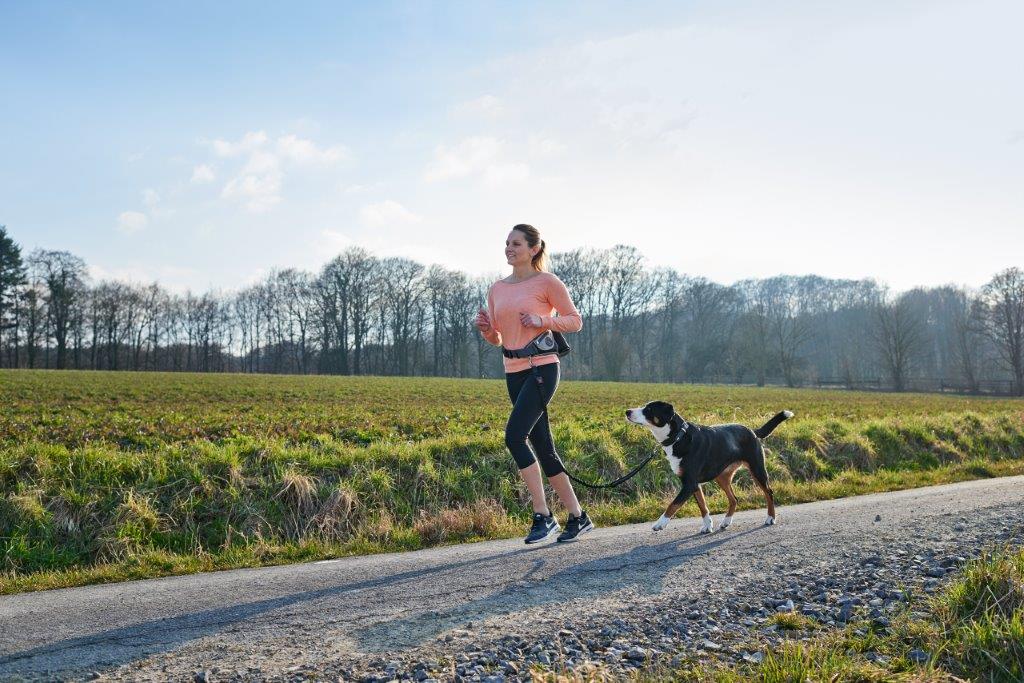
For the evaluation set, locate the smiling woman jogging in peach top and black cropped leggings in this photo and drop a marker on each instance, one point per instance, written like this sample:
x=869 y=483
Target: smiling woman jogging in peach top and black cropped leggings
x=520 y=308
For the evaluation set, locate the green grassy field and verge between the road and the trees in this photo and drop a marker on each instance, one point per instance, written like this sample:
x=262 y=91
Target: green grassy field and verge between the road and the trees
x=106 y=477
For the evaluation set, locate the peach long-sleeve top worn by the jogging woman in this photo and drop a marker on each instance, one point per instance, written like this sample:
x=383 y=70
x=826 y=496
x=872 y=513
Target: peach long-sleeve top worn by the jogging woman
x=544 y=295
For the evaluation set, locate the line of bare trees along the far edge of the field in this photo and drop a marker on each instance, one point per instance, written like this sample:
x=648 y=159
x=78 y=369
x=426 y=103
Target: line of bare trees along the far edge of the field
x=362 y=315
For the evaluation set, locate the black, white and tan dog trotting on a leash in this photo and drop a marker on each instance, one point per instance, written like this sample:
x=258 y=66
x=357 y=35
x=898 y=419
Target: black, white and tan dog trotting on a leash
x=699 y=454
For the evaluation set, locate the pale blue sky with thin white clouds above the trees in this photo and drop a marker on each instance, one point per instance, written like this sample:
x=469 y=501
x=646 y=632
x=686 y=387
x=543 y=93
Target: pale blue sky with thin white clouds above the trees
x=204 y=146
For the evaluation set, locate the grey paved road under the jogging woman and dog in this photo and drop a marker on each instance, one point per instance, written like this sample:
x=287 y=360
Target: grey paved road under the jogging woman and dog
x=274 y=620
